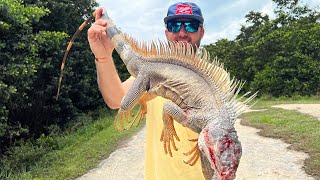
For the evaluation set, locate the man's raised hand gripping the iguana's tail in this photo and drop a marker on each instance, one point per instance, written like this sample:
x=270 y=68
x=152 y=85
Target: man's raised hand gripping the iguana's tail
x=100 y=43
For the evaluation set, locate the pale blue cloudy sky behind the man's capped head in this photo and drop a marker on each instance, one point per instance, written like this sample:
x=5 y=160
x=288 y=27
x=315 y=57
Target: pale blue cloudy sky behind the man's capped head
x=143 y=19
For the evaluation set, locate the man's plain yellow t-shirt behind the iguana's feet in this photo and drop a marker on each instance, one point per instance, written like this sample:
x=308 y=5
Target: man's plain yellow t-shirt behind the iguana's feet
x=161 y=166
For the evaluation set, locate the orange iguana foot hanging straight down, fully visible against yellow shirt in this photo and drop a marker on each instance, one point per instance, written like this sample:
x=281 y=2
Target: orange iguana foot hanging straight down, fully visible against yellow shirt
x=168 y=134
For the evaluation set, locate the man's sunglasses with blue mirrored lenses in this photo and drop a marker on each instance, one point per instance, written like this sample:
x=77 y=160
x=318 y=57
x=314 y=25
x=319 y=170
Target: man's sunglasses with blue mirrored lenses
x=189 y=26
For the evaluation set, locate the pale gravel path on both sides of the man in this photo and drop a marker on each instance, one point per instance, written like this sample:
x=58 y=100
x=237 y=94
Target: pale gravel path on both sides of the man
x=262 y=158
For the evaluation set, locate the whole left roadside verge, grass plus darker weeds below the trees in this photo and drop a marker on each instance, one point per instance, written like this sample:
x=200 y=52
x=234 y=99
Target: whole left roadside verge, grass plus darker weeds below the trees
x=67 y=155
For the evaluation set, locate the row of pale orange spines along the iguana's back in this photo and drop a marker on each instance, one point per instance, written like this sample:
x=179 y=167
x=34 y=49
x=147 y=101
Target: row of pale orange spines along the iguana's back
x=184 y=54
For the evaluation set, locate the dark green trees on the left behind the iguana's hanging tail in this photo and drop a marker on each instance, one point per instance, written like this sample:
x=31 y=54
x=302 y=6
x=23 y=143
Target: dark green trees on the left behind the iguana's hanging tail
x=34 y=35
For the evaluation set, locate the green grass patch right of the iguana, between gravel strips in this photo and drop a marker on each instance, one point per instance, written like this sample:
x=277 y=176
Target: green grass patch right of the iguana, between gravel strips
x=300 y=130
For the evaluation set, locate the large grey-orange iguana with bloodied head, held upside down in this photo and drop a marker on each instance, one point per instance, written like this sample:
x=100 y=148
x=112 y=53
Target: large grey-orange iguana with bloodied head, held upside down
x=203 y=98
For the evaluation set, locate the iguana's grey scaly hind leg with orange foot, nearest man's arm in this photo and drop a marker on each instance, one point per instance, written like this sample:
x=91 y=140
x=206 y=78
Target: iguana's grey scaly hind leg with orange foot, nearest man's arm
x=134 y=94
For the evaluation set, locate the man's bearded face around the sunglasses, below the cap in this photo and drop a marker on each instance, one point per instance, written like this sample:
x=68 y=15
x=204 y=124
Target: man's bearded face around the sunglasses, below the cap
x=183 y=36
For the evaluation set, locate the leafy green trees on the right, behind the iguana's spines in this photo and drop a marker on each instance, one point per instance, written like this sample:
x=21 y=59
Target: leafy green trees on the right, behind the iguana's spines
x=278 y=57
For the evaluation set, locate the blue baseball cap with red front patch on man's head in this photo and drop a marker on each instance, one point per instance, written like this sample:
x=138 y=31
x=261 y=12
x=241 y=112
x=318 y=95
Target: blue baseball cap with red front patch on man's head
x=184 y=10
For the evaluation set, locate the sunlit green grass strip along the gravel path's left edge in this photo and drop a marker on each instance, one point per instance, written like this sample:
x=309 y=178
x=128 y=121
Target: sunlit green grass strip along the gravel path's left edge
x=78 y=152
